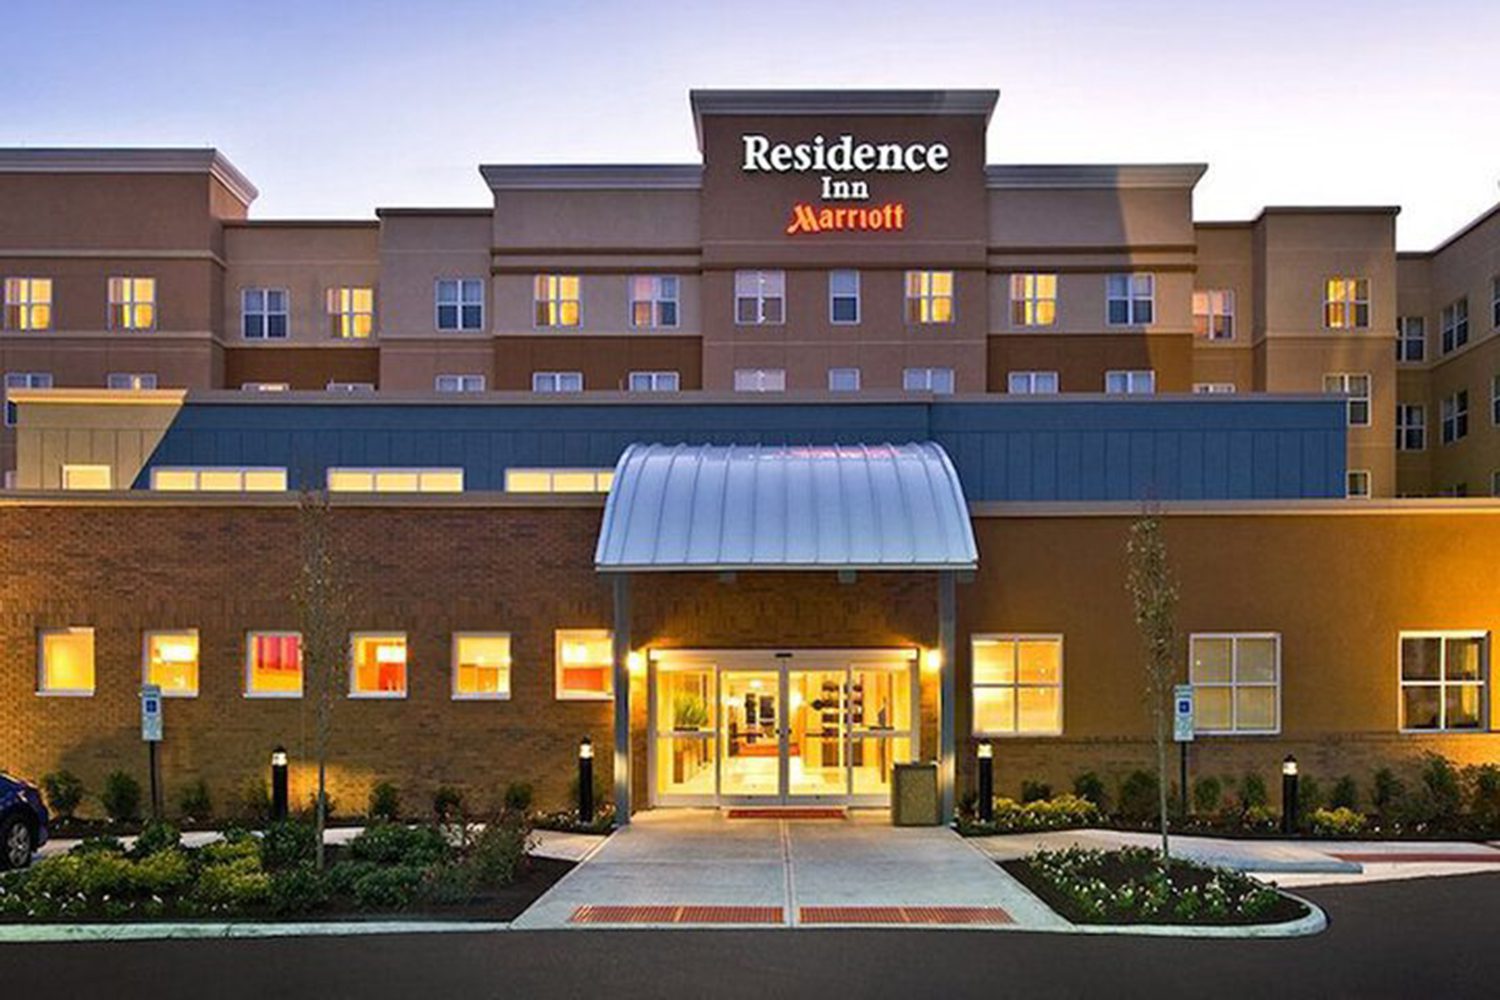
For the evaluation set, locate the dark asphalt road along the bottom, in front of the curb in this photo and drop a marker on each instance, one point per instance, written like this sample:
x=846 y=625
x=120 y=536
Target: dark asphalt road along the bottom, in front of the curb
x=1430 y=938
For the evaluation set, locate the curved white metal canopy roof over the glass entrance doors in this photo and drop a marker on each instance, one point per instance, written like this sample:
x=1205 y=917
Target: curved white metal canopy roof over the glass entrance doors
x=794 y=507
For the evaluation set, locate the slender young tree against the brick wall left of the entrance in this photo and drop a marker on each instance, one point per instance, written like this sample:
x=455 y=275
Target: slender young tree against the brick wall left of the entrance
x=322 y=594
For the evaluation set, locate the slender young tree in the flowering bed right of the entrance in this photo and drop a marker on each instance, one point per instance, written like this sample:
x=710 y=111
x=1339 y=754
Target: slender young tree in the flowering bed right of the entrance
x=1154 y=594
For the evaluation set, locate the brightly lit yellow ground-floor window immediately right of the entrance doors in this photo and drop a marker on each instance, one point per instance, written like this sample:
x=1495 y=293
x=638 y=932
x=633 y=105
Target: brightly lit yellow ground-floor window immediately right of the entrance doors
x=1018 y=686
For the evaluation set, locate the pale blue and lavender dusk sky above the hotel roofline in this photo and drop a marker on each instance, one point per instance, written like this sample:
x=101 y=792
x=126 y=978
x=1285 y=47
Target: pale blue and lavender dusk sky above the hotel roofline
x=338 y=109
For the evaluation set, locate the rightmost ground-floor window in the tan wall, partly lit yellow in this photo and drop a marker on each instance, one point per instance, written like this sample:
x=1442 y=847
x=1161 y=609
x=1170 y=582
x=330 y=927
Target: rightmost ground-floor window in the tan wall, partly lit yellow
x=1444 y=677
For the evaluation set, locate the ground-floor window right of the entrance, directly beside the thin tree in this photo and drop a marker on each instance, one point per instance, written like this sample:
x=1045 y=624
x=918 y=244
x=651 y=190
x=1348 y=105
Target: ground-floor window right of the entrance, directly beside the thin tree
x=1237 y=683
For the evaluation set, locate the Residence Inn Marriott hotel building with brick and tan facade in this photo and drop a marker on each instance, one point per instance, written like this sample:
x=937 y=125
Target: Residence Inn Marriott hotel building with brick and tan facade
x=764 y=473
